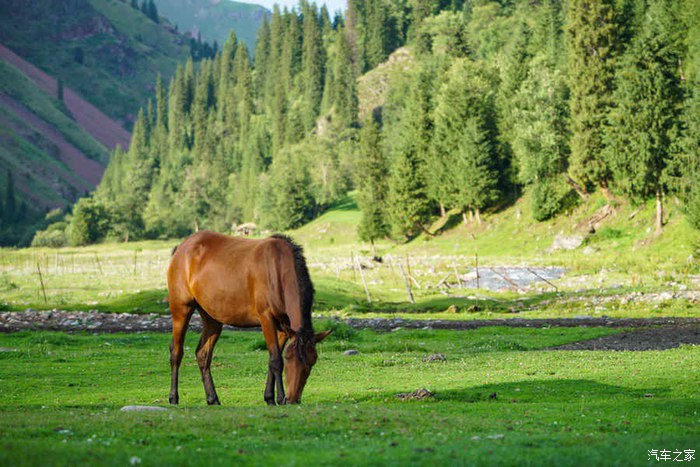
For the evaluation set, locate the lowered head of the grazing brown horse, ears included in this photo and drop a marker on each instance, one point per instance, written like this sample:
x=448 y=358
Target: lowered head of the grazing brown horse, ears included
x=299 y=358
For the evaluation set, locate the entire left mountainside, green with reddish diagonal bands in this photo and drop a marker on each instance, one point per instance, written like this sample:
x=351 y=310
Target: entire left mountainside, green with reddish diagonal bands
x=73 y=75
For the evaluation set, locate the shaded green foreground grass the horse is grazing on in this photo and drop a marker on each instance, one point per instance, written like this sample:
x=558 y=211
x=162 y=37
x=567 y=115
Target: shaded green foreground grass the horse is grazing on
x=62 y=394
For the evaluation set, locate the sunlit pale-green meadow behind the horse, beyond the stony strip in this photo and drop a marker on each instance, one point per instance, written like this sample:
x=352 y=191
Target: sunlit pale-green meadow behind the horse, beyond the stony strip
x=622 y=257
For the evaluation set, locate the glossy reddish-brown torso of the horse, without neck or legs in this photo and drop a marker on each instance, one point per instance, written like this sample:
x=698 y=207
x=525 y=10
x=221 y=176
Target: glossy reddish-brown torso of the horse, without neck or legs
x=227 y=277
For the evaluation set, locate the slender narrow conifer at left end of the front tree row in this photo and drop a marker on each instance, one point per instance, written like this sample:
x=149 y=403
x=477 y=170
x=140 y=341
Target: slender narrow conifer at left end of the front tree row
x=371 y=181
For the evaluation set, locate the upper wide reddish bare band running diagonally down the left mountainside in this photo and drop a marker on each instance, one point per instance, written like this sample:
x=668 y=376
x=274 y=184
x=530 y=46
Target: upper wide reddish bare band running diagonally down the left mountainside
x=100 y=126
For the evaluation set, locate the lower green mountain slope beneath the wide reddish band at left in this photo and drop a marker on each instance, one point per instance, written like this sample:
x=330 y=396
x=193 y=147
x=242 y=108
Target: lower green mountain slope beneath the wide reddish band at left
x=52 y=158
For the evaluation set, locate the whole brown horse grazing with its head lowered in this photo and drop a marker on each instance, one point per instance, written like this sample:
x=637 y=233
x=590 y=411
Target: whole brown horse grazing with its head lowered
x=244 y=283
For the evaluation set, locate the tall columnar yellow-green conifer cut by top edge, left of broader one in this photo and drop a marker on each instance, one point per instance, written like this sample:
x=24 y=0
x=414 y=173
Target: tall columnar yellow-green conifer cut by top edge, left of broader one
x=591 y=36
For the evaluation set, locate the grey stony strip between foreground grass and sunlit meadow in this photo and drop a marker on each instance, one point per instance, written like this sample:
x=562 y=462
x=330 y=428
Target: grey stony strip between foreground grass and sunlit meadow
x=647 y=333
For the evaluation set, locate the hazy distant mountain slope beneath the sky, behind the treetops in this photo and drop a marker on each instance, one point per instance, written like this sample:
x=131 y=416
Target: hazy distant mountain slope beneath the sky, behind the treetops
x=214 y=19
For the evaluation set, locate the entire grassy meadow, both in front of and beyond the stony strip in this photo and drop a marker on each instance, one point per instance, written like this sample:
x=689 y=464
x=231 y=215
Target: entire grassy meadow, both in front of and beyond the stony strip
x=502 y=395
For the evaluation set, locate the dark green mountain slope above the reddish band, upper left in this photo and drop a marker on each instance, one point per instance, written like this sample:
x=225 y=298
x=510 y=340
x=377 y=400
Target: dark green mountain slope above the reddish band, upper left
x=108 y=51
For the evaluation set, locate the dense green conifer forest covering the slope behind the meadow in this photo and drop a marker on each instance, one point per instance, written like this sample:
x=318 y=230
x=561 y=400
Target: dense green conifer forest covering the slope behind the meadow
x=558 y=98
